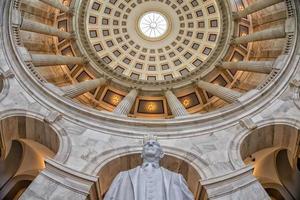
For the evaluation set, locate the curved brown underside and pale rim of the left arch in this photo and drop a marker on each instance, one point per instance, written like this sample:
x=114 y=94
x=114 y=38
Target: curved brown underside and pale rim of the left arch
x=31 y=126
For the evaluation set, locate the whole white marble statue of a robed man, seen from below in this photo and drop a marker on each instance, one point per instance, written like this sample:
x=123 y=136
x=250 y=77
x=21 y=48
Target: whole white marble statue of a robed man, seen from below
x=149 y=181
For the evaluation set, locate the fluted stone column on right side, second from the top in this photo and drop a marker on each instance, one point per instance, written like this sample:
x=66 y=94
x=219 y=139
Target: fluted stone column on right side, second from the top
x=271 y=33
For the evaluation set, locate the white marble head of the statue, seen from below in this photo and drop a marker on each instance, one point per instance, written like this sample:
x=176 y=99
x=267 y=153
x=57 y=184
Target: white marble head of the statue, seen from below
x=152 y=151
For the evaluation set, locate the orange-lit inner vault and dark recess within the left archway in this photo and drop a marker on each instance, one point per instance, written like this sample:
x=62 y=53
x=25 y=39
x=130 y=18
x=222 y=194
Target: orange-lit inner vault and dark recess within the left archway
x=25 y=161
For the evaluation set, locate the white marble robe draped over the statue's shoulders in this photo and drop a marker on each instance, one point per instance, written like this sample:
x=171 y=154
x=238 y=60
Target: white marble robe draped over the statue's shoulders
x=127 y=186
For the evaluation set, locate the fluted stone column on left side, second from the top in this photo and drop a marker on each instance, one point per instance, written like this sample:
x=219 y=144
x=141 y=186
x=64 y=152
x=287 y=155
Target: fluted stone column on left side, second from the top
x=32 y=26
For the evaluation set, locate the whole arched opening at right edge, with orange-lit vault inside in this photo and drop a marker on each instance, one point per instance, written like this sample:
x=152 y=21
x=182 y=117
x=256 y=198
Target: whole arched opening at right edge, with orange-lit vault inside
x=273 y=151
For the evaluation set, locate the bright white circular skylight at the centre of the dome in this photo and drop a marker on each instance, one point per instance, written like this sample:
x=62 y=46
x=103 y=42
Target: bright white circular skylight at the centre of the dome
x=153 y=24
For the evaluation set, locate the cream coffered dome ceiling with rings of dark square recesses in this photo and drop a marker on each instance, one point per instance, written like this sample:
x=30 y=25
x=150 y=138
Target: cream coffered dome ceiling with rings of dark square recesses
x=189 y=37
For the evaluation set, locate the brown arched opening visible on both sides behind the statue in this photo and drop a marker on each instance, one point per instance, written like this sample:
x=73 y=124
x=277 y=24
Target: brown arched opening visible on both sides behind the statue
x=124 y=163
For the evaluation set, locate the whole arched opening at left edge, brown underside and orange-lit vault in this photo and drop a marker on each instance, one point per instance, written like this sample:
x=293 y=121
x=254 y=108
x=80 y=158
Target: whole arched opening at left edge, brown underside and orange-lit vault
x=25 y=144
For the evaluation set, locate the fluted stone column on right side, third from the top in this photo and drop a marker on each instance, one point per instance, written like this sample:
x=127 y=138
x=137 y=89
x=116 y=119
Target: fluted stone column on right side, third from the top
x=250 y=66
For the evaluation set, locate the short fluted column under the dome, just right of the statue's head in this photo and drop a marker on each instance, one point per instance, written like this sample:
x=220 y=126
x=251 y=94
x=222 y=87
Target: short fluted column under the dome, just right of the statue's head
x=175 y=105
